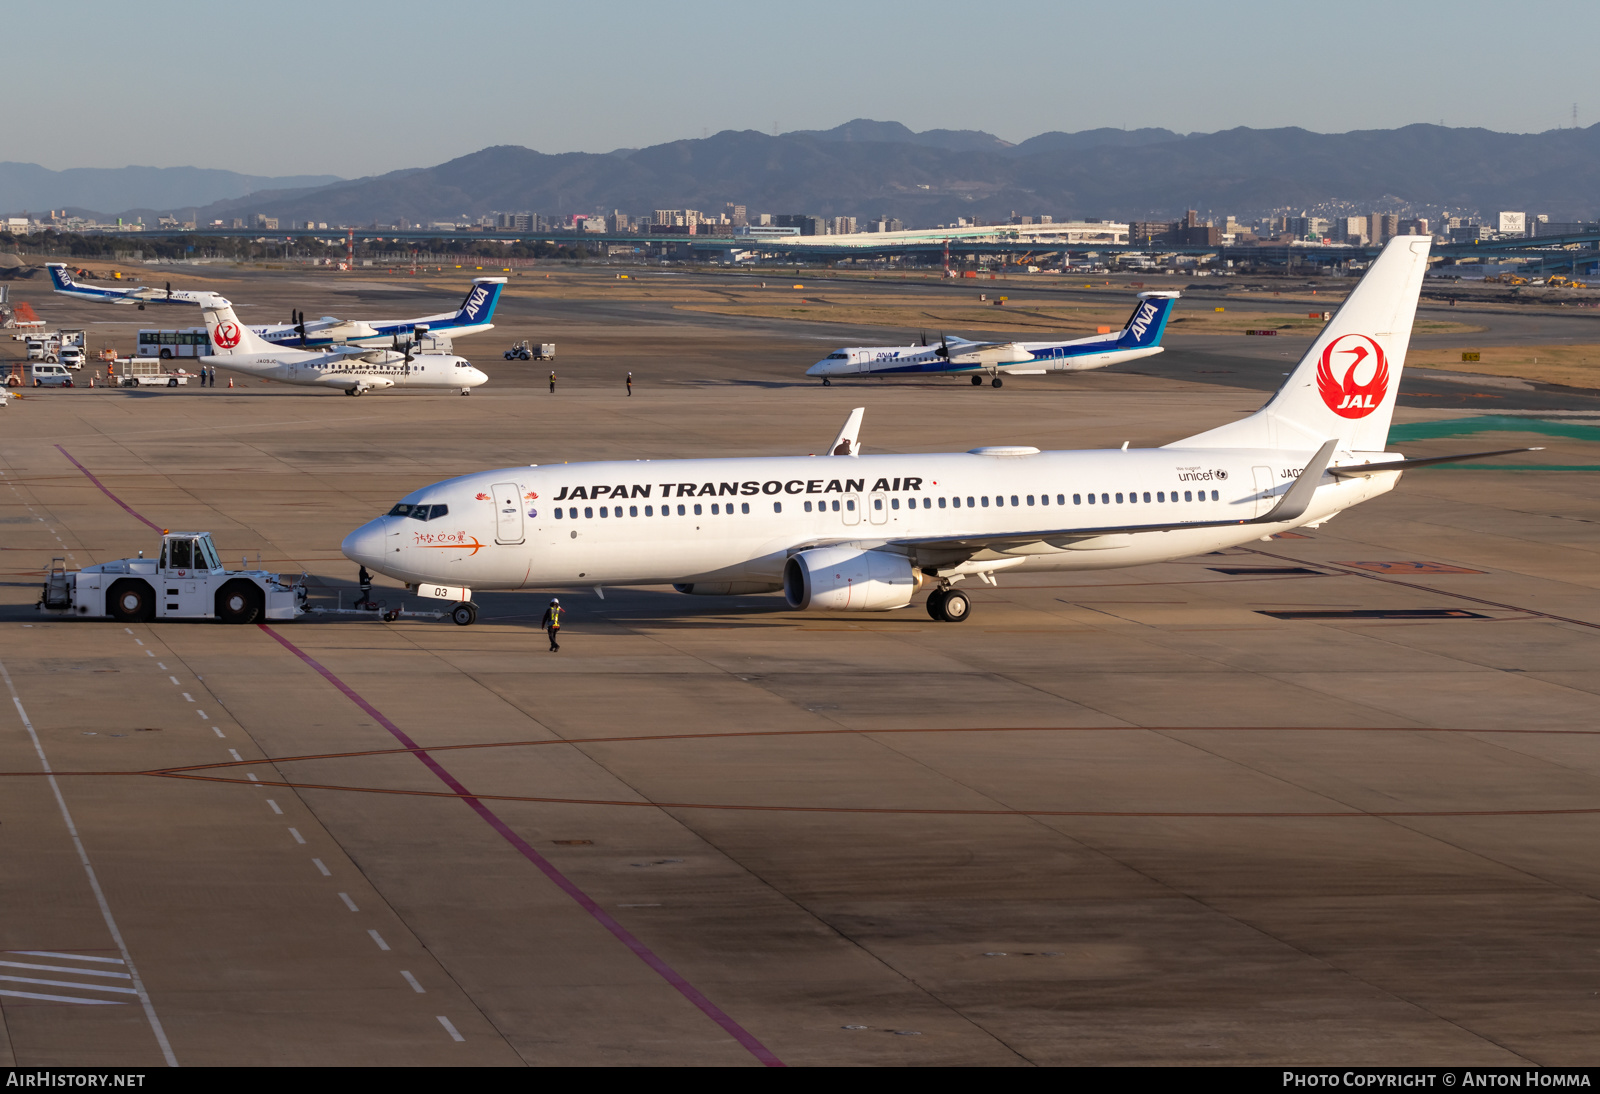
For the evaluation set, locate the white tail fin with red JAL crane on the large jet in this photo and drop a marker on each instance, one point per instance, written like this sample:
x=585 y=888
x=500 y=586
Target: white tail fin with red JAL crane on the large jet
x=1346 y=385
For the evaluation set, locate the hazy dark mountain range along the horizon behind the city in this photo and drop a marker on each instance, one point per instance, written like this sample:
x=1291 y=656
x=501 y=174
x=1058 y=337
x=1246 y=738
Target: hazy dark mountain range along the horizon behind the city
x=871 y=169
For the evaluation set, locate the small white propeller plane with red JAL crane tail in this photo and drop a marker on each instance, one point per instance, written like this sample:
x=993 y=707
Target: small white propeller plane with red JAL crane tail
x=350 y=369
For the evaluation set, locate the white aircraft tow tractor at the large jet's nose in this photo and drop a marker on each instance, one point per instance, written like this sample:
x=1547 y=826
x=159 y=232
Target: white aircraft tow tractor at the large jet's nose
x=186 y=581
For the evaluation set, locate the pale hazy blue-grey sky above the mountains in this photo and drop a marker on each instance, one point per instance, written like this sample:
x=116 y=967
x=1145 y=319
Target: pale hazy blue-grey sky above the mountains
x=361 y=87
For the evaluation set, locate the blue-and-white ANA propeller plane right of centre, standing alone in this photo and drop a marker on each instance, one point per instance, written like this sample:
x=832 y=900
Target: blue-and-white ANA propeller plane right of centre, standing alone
x=1142 y=337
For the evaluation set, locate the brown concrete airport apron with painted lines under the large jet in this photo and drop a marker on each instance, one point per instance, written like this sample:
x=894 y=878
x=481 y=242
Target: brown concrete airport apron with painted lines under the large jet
x=1329 y=799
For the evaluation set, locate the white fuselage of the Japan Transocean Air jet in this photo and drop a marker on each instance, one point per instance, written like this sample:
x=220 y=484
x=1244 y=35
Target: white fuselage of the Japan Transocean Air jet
x=738 y=521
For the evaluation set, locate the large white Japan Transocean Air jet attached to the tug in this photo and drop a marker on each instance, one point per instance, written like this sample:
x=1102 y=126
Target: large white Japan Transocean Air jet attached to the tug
x=863 y=533
